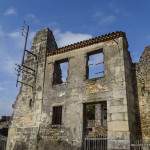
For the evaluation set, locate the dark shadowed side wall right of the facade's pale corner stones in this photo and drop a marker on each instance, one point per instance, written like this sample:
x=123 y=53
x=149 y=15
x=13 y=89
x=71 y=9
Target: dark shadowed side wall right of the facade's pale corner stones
x=130 y=92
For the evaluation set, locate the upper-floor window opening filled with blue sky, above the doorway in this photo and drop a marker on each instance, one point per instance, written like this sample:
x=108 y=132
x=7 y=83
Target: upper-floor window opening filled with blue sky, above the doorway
x=95 y=64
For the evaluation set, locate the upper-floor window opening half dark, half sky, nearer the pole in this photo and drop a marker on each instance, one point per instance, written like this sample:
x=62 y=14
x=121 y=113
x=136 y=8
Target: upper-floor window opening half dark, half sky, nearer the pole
x=60 y=71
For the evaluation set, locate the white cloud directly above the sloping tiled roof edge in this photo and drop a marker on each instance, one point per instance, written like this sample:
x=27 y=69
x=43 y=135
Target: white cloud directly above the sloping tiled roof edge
x=68 y=37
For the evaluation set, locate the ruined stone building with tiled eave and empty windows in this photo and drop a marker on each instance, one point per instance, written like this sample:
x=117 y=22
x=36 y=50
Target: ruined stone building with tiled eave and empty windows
x=87 y=89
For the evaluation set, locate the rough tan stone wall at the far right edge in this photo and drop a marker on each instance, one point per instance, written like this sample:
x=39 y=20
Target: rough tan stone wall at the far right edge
x=143 y=85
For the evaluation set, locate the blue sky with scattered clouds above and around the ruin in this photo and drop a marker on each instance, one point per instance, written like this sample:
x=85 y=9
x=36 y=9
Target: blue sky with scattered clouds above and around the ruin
x=71 y=21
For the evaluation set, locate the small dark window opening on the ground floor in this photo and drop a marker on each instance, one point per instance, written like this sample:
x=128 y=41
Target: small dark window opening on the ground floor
x=57 y=115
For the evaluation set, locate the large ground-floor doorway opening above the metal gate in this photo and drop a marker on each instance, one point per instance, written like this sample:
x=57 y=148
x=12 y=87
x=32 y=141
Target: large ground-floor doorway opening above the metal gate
x=95 y=119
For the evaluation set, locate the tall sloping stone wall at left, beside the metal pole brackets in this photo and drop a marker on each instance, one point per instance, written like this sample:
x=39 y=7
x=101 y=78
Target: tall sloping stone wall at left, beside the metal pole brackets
x=28 y=105
